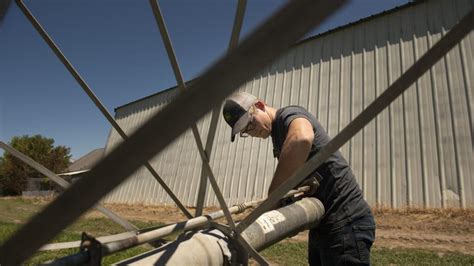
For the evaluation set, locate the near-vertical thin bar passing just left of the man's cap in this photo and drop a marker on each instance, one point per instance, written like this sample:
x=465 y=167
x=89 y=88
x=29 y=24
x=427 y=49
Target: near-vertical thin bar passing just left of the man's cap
x=234 y=39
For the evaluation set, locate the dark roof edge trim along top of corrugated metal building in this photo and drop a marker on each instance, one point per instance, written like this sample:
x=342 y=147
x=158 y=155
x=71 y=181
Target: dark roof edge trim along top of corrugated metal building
x=383 y=13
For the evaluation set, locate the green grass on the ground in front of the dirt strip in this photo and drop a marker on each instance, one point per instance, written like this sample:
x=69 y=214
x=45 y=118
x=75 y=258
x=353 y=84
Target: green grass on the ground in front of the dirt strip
x=15 y=211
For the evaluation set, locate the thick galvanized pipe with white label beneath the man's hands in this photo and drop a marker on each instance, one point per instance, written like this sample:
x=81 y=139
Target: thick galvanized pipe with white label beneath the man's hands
x=212 y=247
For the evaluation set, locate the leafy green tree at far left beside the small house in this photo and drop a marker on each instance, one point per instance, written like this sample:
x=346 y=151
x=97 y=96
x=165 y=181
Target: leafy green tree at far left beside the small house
x=14 y=173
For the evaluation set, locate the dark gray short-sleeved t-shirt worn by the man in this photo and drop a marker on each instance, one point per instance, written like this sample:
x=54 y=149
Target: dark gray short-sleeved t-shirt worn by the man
x=338 y=190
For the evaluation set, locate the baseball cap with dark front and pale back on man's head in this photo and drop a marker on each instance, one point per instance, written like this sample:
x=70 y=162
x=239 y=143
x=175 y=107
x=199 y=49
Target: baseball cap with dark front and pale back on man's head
x=236 y=113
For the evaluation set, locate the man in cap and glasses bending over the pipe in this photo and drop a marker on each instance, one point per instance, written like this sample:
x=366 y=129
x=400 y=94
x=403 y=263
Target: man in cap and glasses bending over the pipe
x=347 y=230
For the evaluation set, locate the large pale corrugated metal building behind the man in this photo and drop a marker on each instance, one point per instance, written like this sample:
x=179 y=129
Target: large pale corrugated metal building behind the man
x=418 y=152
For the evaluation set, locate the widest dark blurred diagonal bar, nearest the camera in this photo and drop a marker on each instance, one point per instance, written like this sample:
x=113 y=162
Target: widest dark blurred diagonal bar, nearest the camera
x=259 y=49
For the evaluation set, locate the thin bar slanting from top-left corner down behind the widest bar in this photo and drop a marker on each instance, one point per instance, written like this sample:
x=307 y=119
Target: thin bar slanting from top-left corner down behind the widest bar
x=94 y=98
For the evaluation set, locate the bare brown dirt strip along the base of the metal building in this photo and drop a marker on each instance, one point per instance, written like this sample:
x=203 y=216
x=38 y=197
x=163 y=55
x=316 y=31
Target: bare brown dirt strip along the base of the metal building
x=449 y=230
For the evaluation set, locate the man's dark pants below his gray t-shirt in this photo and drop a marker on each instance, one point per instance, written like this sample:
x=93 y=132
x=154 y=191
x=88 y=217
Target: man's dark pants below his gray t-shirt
x=347 y=245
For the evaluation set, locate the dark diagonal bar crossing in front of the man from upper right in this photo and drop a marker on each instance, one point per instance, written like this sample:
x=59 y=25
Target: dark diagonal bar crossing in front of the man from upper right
x=454 y=36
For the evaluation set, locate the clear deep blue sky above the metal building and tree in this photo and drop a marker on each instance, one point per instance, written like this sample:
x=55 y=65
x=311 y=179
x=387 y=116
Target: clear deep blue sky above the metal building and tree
x=116 y=47
